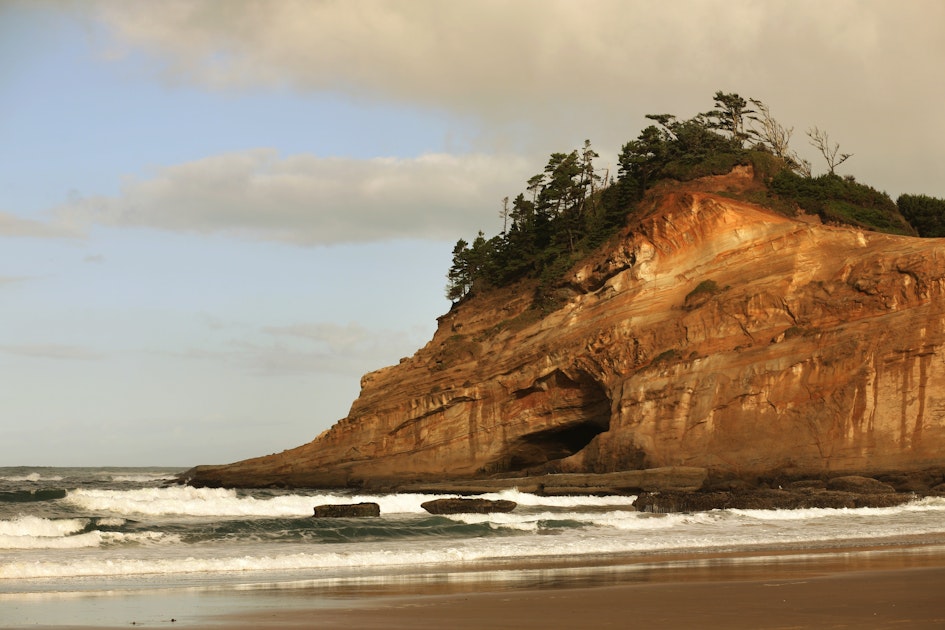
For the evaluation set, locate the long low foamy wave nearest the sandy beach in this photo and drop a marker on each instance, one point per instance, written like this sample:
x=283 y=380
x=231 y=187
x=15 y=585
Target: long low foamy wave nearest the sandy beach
x=380 y=556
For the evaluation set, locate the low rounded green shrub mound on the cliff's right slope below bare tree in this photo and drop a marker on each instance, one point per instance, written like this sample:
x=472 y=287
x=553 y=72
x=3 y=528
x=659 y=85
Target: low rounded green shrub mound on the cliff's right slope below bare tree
x=841 y=200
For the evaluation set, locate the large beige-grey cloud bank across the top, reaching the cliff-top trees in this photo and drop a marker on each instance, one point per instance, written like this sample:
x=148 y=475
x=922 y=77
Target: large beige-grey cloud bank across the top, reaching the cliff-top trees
x=551 y=73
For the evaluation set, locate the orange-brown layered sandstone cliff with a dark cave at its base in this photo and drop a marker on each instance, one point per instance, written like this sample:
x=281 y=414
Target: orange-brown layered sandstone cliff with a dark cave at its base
x=712 y=333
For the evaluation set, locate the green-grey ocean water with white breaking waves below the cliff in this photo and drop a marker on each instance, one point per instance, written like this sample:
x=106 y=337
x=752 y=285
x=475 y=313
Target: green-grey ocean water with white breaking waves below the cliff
x=84 y=532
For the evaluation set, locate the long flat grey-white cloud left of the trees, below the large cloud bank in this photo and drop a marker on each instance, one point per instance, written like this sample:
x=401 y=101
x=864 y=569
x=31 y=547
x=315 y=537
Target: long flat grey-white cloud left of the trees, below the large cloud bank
x=309 y=200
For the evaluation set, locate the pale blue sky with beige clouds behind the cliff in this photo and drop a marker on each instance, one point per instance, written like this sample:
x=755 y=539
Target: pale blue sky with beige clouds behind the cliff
x=216 y=216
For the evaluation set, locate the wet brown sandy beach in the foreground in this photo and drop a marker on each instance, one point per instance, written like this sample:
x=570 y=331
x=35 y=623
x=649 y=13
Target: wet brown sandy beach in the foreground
x=880 y=587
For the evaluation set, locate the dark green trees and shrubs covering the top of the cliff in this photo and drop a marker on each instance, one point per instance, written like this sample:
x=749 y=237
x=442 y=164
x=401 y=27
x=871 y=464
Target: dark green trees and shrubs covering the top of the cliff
x=568 y=209
